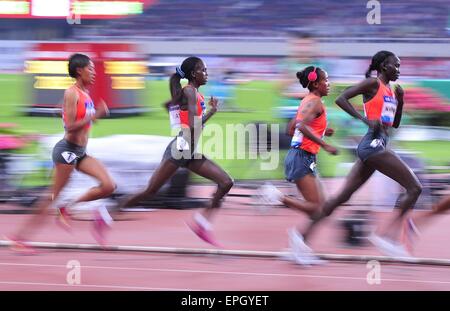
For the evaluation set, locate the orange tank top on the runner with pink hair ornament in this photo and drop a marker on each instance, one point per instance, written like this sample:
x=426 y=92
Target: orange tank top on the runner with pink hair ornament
x=317 y=127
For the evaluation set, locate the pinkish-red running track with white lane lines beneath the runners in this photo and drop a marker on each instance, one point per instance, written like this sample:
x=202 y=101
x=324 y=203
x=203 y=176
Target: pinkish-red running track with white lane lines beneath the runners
x=237 y=227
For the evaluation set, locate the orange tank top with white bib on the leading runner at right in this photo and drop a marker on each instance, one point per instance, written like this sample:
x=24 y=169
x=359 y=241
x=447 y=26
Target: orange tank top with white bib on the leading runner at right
x=382 y=106
